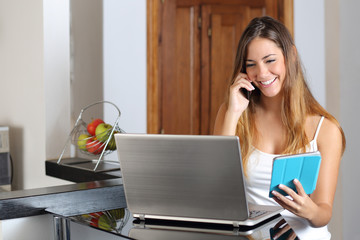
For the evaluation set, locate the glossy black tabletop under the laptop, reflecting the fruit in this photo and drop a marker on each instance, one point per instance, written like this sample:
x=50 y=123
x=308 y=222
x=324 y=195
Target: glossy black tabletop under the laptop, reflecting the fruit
x=121 y=223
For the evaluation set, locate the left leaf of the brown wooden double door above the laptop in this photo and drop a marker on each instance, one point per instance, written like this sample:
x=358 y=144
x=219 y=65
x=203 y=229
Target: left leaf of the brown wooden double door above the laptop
x=180 y=82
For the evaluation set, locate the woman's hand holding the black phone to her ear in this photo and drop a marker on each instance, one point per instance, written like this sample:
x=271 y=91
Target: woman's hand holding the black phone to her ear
x=237 y=101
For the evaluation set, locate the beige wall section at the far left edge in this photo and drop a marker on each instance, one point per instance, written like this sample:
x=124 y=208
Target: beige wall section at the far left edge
x=22 y=104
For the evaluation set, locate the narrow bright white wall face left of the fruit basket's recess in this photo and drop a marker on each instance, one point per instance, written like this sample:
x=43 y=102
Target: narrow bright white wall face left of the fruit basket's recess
x=56 y=75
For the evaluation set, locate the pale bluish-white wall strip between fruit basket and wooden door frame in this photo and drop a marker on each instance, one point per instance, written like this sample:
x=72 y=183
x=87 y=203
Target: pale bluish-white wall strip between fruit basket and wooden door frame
x=125 y=62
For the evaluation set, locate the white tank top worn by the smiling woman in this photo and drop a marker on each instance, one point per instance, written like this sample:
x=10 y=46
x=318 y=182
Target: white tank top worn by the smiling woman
x=258 y=184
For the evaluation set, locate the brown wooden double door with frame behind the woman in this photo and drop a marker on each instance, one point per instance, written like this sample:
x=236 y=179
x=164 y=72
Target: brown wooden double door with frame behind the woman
x=191 y=50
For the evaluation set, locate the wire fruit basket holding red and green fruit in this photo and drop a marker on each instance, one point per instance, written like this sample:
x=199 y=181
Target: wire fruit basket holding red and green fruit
x=96 y=144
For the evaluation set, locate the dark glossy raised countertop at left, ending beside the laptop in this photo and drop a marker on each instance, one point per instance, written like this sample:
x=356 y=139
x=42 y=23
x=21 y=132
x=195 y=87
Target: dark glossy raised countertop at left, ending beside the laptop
x=66 y=200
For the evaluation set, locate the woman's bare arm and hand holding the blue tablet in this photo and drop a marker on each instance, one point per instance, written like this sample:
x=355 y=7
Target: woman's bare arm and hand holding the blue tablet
x=317 y=208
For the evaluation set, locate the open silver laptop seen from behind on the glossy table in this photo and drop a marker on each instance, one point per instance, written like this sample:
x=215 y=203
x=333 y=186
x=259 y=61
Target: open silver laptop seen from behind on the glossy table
x=186 y=178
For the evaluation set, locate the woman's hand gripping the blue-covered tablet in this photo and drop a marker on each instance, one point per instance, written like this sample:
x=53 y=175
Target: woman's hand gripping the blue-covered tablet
x=299 y=203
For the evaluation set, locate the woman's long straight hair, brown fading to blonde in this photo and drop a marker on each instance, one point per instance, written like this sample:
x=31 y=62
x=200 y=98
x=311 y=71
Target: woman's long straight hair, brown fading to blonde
x=297 y=102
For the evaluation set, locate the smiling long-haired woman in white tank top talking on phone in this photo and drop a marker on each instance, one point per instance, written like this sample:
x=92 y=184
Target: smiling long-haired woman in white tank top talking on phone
x=280 y=117
